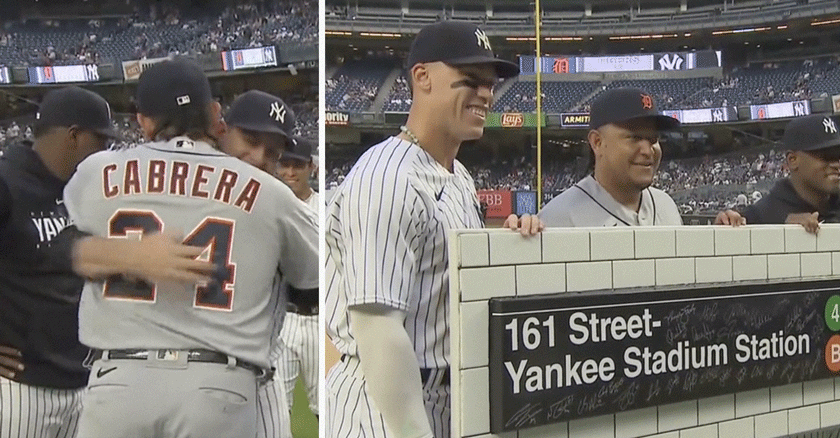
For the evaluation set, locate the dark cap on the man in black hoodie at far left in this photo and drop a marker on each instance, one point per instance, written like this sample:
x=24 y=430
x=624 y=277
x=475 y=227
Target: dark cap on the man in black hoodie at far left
x=74 y=106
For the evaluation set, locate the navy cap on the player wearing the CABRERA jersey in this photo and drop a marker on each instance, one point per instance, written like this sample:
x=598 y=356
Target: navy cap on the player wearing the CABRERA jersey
x=170 y=86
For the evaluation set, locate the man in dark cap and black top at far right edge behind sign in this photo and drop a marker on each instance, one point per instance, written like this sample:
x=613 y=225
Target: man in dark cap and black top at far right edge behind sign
x=809 y=194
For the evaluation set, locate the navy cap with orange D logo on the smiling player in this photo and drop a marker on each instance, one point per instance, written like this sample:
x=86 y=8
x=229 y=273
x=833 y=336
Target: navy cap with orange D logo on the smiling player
x=622 y=104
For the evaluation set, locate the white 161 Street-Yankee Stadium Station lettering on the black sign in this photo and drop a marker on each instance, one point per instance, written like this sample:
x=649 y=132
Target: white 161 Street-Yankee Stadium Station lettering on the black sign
x=590 y=328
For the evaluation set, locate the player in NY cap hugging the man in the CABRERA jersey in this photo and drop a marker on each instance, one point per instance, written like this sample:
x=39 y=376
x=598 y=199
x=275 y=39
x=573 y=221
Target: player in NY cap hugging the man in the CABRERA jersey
x=258 y=126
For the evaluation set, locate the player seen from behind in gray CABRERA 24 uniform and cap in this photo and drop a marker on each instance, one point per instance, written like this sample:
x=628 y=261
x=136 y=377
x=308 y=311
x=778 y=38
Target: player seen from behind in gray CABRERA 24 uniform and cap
x=175 y=361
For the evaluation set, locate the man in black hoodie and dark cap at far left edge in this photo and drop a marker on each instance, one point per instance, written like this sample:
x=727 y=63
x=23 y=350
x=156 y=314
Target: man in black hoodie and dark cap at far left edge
x=42 y=377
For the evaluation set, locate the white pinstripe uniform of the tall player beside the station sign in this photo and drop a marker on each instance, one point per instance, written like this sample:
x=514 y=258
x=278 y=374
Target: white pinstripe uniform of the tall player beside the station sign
x=386 y=236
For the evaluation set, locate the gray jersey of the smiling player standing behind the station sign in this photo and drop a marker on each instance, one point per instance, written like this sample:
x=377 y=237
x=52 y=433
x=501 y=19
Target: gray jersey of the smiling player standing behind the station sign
x=588 y=204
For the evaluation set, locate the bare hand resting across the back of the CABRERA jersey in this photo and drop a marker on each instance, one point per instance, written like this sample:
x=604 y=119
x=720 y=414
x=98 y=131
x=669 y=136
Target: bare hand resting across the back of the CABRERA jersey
x=164 y=258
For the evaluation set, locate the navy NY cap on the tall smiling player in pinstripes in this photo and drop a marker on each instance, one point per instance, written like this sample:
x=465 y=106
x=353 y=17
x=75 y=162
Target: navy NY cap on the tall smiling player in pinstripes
x=457 y=43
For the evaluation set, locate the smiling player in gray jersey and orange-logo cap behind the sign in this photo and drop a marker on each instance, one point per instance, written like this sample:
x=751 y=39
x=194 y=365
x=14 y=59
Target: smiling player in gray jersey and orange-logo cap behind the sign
x=624 y=138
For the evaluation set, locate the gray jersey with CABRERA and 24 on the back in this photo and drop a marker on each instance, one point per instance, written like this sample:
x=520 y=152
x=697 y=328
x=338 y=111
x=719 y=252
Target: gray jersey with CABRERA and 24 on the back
x=249 y=222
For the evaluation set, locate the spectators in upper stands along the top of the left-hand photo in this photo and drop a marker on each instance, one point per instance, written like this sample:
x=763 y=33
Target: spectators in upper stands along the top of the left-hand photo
x=159 y=30
